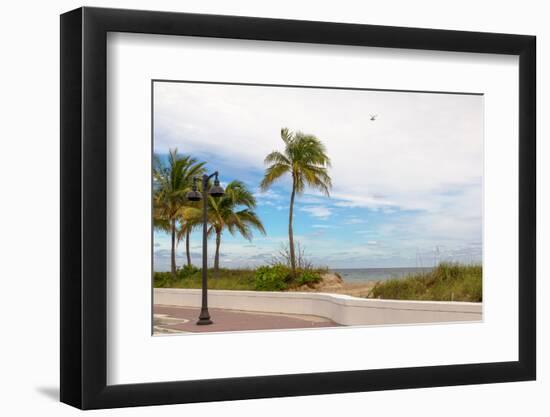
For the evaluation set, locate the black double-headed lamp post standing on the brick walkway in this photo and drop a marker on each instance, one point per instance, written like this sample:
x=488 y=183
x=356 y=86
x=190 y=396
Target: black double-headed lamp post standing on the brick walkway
x=215 y=191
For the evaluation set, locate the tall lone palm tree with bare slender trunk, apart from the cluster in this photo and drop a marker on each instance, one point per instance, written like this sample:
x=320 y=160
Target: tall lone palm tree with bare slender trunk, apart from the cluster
x=305 y=159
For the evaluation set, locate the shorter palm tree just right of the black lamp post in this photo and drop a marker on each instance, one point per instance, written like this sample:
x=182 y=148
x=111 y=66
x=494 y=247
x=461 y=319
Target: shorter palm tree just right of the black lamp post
x=233 y=211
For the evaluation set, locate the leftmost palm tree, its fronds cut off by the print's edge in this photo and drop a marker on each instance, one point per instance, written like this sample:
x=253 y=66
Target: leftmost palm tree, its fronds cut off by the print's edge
x=171 y=182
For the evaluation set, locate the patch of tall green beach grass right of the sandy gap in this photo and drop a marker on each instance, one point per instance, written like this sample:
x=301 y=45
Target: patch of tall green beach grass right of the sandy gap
x=447 y=282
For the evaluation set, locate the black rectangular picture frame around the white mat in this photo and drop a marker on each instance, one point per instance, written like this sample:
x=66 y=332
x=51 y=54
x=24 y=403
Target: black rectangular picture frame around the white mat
x=84 y=207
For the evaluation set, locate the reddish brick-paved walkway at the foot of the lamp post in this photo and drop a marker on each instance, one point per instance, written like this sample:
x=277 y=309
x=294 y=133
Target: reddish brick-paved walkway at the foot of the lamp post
x=173 y=319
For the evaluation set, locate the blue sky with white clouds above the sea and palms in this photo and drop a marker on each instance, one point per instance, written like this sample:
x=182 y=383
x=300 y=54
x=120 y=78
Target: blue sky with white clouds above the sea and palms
x=407 y=187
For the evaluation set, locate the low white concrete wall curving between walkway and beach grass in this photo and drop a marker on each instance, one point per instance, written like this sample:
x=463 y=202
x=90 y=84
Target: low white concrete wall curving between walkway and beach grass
x=342 y=309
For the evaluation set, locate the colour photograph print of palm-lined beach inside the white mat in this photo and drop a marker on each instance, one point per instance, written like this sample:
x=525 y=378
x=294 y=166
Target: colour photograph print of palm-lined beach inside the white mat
x=295 y=207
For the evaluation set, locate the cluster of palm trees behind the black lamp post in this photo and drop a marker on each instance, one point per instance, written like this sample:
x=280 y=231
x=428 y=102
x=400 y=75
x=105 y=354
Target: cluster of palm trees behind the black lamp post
x=175 y=214
